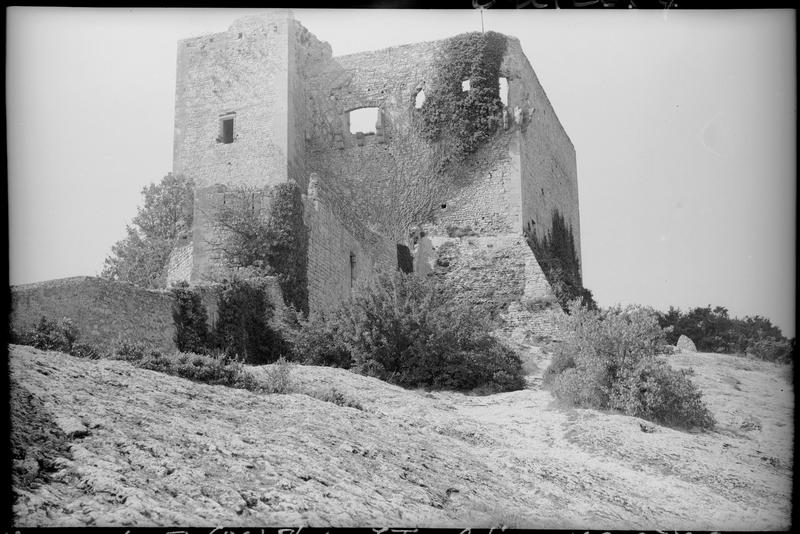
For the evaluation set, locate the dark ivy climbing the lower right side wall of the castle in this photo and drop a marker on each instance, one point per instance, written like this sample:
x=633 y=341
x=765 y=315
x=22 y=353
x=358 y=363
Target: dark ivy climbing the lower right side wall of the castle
x=556 y=254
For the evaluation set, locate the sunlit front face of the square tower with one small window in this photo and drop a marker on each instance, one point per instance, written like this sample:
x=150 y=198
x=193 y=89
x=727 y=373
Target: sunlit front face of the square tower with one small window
x=243 y=71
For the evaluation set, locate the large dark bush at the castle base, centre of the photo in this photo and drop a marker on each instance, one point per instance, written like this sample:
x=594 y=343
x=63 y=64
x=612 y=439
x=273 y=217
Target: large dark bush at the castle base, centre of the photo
x=403 y=329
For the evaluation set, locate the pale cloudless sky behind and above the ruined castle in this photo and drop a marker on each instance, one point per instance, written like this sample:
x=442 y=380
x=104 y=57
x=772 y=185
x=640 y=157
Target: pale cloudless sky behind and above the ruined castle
x=683 y=124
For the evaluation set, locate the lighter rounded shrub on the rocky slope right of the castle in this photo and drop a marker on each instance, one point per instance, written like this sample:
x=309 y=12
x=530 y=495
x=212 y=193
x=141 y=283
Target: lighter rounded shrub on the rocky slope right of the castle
x=610 y=360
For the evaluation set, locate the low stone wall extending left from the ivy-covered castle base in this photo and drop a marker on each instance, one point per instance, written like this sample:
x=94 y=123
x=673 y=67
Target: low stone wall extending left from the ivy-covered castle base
x=102 y=309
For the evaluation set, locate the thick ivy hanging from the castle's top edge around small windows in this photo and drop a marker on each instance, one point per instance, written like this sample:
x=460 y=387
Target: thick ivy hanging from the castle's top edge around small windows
x=464 y=119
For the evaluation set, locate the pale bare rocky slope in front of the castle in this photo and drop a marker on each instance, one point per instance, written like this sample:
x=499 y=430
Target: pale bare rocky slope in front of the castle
x=104 y=443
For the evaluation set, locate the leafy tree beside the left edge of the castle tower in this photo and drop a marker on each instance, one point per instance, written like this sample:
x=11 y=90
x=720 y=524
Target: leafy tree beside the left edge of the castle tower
x=141 y=257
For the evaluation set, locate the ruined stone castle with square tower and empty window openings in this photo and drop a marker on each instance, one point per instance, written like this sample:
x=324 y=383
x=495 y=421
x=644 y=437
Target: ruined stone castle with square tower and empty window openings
x=266 y=102
